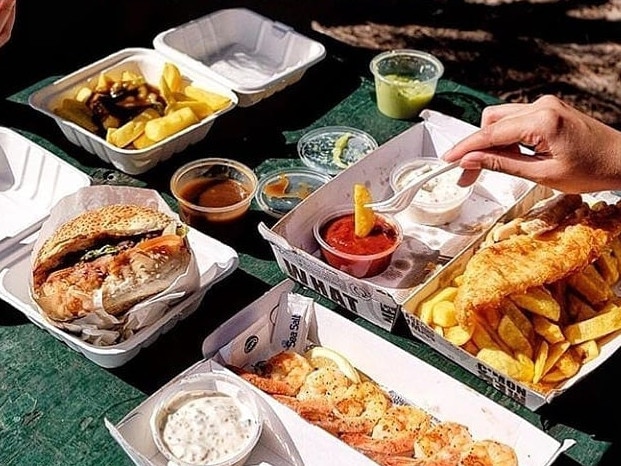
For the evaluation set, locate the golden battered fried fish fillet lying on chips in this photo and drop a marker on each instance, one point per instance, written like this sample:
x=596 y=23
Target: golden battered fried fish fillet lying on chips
x=522 y=261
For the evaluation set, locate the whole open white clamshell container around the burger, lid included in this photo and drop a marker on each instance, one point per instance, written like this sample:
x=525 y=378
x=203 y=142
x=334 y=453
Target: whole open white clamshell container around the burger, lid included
x=32 y=182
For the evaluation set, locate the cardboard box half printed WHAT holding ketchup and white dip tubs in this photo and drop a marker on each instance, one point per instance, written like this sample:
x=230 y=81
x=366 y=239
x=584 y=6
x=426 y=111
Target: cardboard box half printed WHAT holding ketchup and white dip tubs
x=380 y=299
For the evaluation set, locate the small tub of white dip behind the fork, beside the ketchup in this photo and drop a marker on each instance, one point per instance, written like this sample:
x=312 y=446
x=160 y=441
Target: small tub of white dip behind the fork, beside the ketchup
x=440 y=200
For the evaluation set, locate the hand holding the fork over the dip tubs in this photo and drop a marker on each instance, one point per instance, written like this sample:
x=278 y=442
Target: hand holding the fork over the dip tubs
x=573 y=152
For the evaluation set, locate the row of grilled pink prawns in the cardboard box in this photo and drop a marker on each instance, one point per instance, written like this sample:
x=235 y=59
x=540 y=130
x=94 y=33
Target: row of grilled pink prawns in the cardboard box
x=364 y=416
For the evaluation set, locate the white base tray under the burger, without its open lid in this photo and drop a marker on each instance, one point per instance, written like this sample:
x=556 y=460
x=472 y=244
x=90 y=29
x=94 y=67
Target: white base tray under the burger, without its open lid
x=215 y=261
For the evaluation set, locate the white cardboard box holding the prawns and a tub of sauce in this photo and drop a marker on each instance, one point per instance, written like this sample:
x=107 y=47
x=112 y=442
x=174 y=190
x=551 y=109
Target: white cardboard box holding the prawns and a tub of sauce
x=288 y=439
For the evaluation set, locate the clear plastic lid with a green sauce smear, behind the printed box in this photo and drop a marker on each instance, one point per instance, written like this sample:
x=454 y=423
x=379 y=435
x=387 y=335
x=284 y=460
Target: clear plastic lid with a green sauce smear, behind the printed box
x=333 y=148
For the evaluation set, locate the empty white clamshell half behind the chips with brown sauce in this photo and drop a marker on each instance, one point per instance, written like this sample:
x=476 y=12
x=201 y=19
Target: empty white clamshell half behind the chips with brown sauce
x=252 y=55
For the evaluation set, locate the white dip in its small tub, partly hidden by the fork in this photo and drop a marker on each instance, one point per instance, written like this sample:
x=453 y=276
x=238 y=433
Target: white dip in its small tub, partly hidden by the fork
x=439 y=200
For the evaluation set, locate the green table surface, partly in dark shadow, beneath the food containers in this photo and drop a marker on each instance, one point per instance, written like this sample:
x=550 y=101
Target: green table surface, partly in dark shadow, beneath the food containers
x=53 y=400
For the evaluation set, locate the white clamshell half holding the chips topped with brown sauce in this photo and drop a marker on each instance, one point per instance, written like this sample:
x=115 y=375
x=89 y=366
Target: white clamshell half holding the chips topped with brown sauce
x=150 y=64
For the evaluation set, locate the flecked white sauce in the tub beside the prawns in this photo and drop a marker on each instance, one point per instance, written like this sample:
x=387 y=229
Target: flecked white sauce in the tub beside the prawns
x=206 y=427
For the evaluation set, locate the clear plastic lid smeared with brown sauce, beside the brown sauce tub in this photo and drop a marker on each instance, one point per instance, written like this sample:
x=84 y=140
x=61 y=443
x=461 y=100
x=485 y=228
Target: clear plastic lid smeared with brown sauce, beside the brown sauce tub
x=281 y=190
